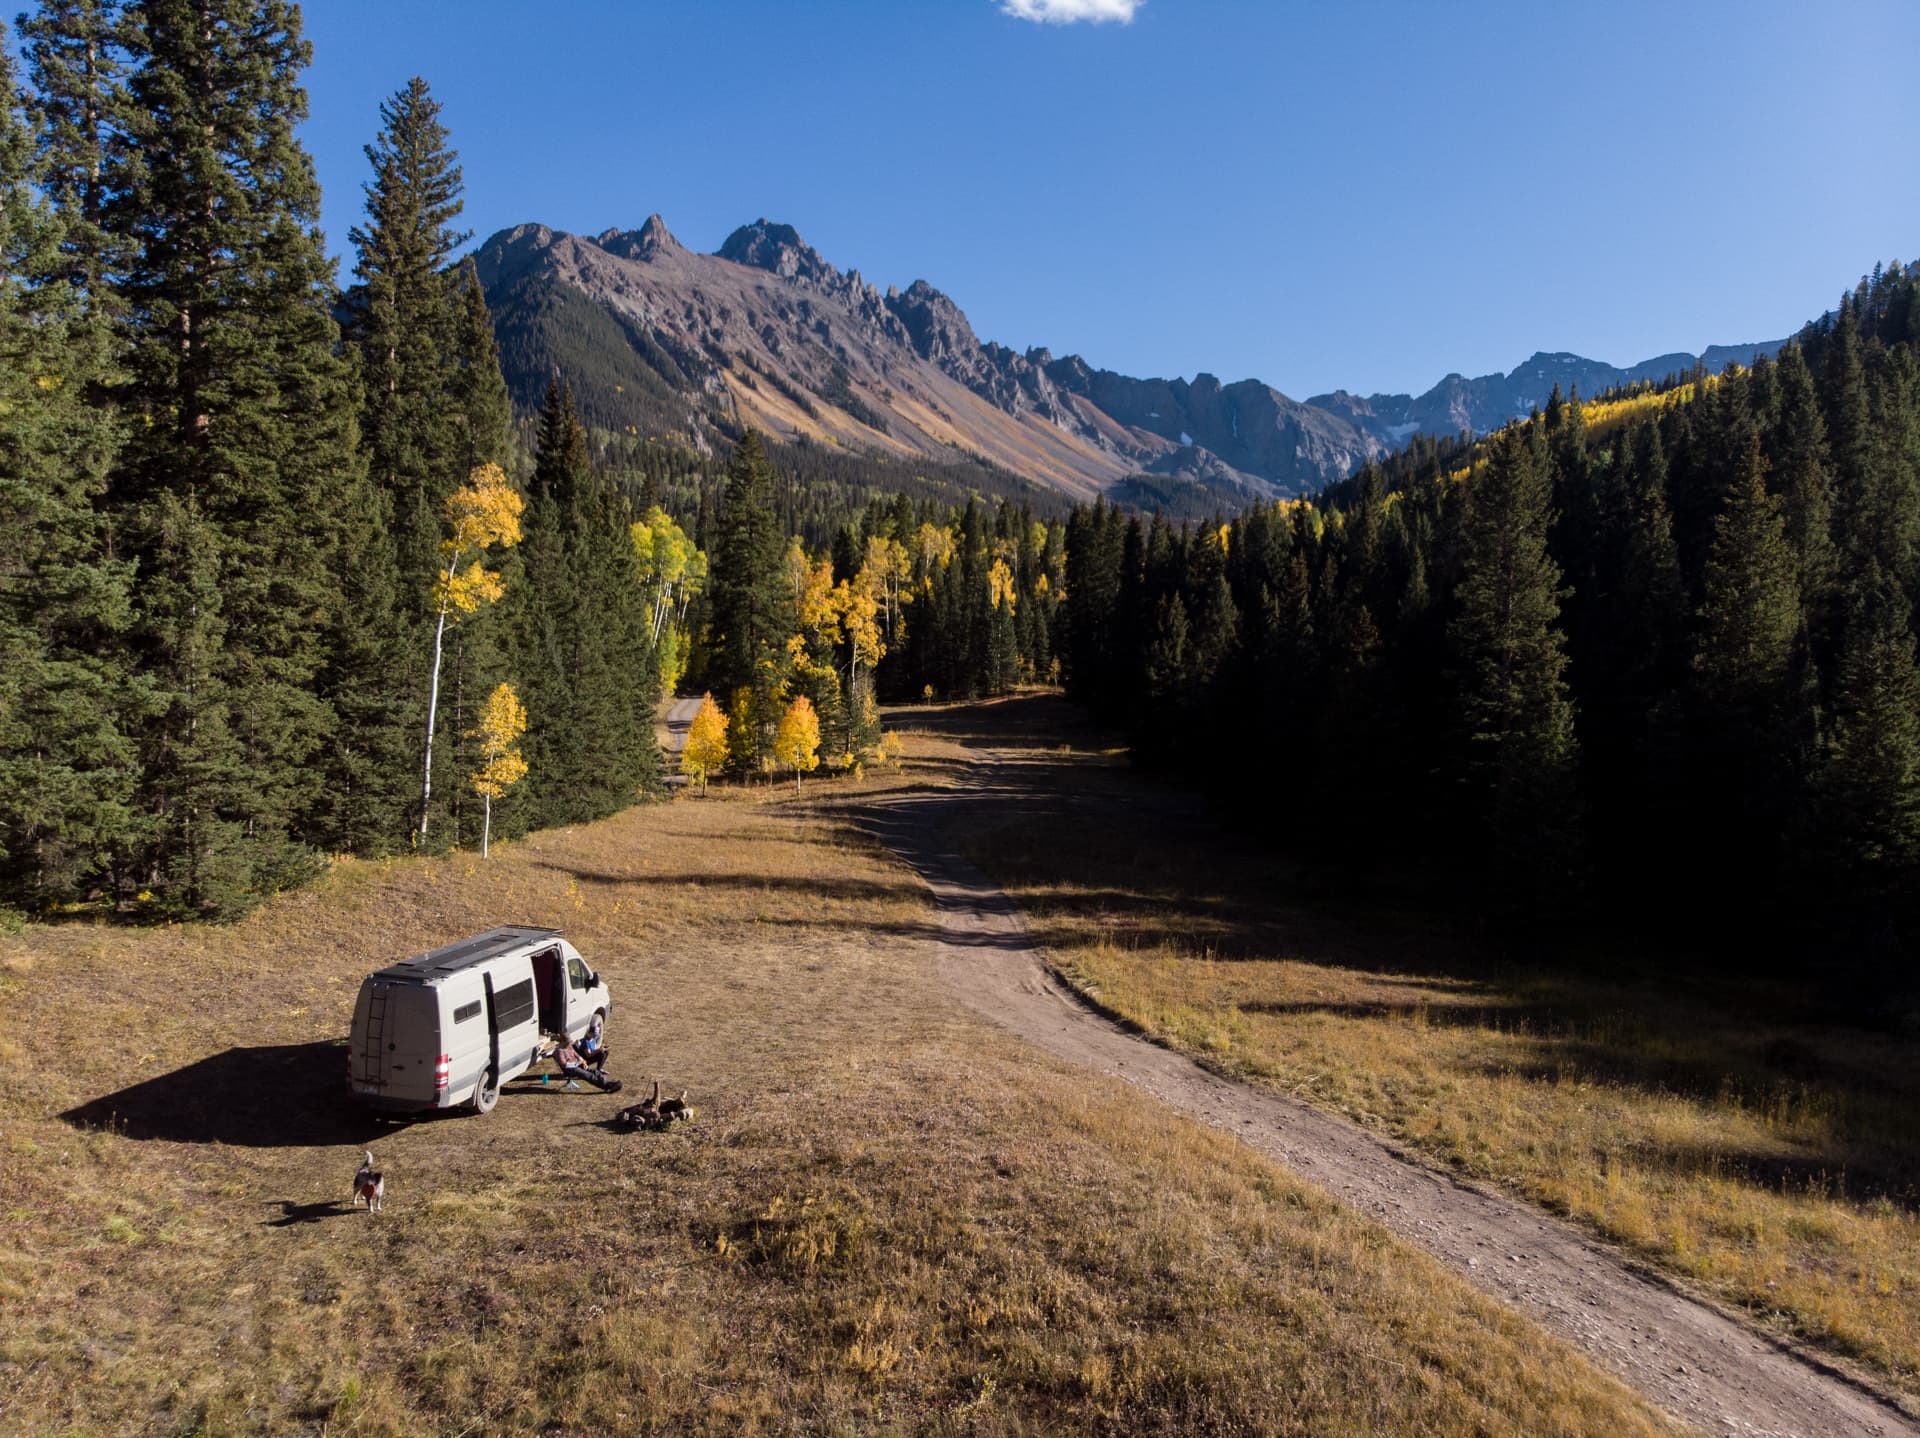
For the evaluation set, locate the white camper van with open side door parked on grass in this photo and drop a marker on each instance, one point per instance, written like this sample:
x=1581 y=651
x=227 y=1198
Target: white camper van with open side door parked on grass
x=452 y=1026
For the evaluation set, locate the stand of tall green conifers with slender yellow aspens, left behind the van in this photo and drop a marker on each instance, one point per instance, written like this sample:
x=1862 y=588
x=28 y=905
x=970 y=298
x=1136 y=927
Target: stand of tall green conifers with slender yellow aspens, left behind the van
x=262 y=577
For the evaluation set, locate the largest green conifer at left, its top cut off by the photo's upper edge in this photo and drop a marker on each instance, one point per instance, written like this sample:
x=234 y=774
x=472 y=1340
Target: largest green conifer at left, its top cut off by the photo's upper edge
x=245 y=444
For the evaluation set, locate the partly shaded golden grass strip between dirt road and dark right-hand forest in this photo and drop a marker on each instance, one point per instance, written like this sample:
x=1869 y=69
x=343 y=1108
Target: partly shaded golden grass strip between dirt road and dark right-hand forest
x=1735 y=1134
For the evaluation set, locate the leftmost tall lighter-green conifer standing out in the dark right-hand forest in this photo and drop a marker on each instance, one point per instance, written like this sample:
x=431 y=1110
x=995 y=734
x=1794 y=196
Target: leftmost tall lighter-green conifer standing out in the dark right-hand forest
x=1508 y=659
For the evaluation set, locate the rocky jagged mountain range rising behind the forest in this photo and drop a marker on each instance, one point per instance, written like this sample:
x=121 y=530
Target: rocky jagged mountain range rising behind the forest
x=663 y=341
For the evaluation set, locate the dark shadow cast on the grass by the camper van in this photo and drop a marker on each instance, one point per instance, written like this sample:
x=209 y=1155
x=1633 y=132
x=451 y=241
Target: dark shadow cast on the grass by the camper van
x=270 y=1097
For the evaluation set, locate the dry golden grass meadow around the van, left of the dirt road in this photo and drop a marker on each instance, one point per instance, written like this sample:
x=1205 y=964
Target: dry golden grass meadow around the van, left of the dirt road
x=886 y=1216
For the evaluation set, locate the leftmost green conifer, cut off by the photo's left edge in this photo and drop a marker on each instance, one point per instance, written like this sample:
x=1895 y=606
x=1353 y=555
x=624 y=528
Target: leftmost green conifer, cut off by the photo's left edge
x=66 y=763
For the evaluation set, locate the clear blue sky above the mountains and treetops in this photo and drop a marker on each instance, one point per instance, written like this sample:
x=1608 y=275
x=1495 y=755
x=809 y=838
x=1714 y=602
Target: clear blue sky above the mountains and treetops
x=1360 y=195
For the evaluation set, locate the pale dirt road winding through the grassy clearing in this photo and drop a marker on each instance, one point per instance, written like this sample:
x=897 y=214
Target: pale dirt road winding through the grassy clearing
x=1698 y=1364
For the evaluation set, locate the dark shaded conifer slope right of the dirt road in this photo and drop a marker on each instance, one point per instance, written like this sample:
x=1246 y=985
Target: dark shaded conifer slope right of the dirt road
x=1650 y=658
